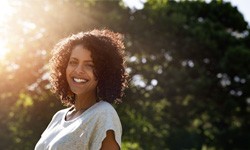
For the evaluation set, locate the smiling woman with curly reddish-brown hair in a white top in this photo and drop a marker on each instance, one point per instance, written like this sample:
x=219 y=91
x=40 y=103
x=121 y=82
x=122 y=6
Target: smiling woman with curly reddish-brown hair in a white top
x=88 y=73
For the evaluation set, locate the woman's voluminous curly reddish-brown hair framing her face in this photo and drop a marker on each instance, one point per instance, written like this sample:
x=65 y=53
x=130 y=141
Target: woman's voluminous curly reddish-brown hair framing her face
x=107 y=52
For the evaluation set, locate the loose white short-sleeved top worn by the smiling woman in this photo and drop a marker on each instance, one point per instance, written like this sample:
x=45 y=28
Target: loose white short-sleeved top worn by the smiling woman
x=85 y=132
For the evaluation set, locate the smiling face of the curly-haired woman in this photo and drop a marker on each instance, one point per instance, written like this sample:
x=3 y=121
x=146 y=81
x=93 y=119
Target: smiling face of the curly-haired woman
x=80 y=72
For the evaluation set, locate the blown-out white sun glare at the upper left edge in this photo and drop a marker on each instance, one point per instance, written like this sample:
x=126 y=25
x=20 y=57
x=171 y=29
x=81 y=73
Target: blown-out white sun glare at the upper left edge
x=5 y=11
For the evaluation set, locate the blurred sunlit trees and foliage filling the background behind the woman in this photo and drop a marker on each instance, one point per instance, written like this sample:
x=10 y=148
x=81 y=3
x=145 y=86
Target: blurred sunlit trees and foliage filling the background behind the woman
x=188 y=62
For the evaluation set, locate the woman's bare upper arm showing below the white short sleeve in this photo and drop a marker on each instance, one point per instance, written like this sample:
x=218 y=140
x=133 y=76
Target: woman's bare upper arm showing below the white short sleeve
x=109 y=143
